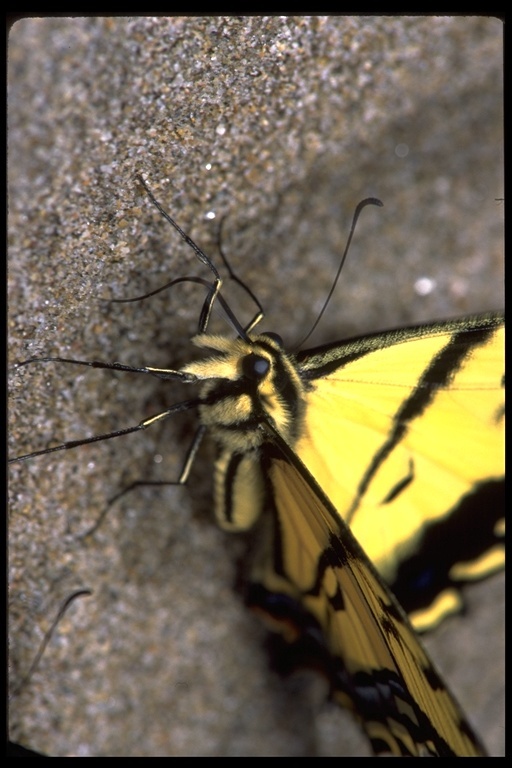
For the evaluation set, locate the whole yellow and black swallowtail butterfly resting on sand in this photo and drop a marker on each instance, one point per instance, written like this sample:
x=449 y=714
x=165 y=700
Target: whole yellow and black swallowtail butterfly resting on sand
x=352 y=461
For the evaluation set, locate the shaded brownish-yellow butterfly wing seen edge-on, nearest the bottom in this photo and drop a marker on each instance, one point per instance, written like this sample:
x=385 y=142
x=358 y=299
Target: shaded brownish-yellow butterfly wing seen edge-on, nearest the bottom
x=379 y=668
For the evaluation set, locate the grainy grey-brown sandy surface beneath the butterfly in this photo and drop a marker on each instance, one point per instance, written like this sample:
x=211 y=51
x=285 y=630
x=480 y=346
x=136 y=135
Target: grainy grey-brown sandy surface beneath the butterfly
x=282 y=124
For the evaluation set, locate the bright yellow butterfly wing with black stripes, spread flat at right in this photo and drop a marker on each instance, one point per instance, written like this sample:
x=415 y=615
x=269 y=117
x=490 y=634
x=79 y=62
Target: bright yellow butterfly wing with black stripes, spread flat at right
x=404 y=434
